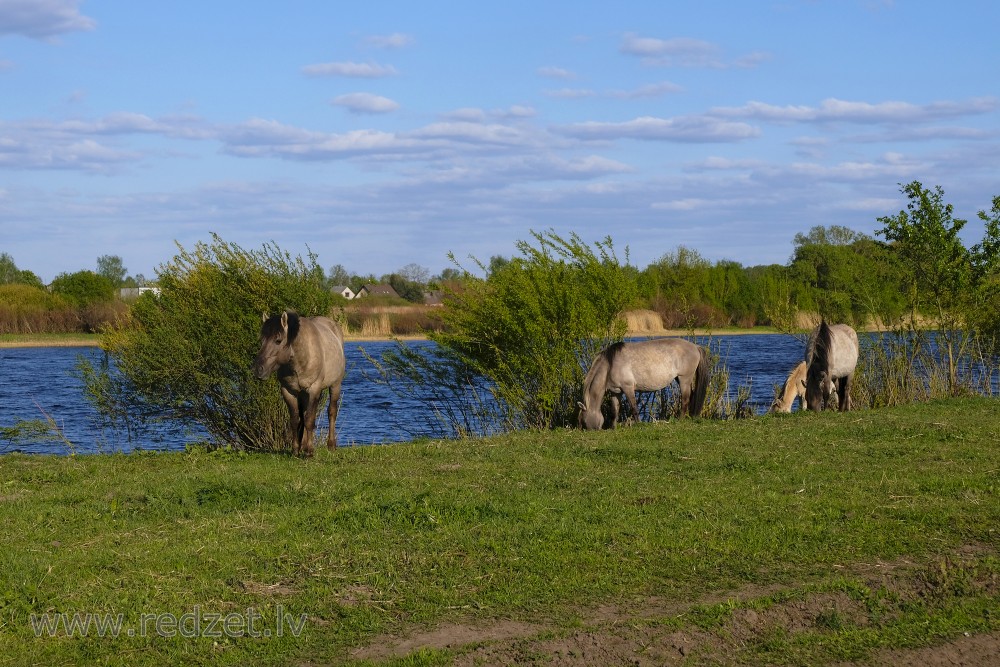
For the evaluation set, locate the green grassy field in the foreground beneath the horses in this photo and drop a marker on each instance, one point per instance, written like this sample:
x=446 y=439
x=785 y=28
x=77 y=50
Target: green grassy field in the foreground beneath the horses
x=802 y=539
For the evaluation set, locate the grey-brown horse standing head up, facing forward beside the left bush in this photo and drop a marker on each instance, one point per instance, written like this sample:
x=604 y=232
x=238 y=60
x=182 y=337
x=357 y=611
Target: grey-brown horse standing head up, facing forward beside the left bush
x=307 y=353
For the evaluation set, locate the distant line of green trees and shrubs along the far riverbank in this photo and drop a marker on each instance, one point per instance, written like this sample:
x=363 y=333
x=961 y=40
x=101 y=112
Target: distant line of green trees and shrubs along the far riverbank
x=915 y=266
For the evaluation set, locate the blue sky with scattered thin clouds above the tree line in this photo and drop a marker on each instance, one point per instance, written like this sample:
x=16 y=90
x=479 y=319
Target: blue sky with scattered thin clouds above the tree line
x=382 y=134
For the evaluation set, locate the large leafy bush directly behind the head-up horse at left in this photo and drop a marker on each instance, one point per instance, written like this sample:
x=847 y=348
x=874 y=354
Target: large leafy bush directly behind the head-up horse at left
x=186 y=355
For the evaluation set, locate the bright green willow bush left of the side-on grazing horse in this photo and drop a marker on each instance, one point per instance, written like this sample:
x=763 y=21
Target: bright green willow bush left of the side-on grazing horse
x=524 y=335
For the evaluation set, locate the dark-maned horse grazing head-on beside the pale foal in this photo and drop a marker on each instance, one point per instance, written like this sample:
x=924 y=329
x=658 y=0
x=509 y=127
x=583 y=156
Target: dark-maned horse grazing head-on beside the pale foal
x=831 y=356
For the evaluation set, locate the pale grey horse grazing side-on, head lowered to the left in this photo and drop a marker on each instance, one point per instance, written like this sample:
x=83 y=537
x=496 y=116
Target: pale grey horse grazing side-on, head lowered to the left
x=650 y=365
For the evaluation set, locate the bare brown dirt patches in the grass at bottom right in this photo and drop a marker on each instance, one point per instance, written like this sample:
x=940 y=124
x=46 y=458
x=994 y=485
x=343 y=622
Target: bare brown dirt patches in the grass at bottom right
x=655 y=631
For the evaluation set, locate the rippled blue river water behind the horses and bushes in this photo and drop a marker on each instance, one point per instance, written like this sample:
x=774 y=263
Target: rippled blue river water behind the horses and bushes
x=38 y=384
